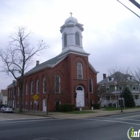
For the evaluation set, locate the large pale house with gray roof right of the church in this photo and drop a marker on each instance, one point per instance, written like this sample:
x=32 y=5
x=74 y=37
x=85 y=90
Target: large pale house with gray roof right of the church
x=115 y=84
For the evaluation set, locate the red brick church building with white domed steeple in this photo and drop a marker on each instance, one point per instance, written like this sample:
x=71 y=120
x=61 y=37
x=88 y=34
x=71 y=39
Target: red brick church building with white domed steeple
x=66 y=78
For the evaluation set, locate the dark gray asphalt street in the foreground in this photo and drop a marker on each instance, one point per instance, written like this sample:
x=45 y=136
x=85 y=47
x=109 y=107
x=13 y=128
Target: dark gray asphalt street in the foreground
x=97 y=128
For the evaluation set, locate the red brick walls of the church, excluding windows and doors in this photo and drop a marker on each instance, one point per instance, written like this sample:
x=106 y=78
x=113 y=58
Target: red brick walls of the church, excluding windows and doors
x=67 y=69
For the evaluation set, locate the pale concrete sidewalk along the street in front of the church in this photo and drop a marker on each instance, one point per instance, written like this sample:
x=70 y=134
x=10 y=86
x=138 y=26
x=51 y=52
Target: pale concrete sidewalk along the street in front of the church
x=96 y=113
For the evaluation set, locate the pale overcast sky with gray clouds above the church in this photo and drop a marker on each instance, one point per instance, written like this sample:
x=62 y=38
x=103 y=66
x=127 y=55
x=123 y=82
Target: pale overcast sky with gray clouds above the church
x=111 y=32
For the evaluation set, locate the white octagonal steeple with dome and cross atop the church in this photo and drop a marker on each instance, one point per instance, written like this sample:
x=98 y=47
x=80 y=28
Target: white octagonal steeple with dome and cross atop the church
x=72 y=35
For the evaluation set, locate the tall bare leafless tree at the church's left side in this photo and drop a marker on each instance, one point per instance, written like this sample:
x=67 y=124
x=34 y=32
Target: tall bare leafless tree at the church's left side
x=18 y=56
